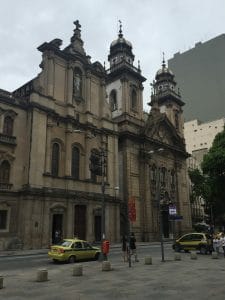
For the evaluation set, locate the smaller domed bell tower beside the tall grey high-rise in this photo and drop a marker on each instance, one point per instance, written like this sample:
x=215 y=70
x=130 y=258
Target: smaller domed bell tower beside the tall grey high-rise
x=166 y=99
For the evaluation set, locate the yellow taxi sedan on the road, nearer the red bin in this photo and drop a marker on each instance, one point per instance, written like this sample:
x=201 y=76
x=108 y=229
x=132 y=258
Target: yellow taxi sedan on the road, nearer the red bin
x=72 y=250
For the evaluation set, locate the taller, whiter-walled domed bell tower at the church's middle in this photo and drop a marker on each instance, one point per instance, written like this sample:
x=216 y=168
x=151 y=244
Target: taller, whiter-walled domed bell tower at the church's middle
x=124 y=80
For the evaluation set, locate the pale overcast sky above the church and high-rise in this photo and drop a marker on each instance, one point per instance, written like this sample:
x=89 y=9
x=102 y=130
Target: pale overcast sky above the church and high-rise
x=152 y=26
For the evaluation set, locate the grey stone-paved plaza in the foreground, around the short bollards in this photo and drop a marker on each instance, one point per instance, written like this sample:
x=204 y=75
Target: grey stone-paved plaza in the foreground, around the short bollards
x=186 y=279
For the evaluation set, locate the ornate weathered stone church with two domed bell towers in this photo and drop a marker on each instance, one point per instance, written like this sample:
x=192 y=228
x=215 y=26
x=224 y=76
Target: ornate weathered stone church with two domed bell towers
x=77 y=151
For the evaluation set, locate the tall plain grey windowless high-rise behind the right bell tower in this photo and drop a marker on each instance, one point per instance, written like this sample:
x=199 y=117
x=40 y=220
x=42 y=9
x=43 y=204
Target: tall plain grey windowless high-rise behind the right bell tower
x=200 y=74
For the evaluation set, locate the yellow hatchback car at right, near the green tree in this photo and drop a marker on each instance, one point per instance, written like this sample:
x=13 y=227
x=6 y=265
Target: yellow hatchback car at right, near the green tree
x=194 y=241
